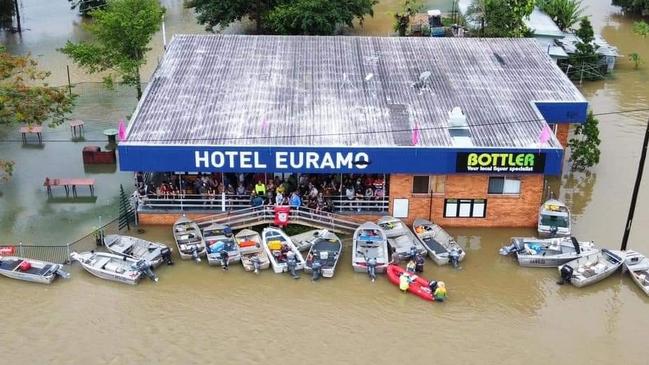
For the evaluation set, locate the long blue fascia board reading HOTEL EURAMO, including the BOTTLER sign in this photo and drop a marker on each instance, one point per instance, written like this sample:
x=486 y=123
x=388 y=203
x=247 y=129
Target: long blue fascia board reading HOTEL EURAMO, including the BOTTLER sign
x=408 y=160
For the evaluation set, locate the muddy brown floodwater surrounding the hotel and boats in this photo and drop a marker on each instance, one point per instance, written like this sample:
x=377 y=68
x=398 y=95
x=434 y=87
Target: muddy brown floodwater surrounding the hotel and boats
x=497 y=312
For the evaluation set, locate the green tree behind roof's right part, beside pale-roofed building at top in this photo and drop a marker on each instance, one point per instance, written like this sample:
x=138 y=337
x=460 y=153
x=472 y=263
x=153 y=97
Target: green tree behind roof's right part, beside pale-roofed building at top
x=502 y=18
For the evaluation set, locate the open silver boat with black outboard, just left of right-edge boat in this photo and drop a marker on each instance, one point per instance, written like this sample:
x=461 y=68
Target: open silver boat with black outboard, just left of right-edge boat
x=592 y=268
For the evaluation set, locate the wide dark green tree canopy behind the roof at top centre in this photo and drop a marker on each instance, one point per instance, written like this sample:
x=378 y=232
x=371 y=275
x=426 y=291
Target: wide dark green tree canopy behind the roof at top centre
x=318 y=17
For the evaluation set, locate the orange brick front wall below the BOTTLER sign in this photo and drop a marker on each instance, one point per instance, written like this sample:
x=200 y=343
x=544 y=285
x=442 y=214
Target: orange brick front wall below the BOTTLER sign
x=502 y=211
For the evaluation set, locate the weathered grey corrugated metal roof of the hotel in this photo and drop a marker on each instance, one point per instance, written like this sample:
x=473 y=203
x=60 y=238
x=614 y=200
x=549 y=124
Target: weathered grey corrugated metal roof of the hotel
x=346 y=91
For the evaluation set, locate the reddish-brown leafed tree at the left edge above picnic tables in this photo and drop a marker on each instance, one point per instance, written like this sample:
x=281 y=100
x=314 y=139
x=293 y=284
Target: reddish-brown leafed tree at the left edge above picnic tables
x=25 y=97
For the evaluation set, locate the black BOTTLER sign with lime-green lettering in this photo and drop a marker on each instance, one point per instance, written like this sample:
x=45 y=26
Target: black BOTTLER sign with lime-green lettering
x=500 y=162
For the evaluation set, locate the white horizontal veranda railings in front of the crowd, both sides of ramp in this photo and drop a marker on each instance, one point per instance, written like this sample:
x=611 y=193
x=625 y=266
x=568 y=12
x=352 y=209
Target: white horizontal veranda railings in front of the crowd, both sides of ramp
x=225 y=202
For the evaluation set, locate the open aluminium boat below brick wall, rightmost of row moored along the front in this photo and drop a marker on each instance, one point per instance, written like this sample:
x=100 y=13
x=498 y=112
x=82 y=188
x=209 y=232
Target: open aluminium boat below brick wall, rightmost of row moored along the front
x=441 y=246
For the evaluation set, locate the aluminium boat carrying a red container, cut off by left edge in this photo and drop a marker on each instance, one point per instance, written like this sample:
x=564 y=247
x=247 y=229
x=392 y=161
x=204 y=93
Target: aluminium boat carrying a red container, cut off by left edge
x=36 y=271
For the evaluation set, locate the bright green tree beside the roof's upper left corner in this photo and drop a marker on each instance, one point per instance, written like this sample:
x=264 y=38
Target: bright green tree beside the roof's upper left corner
x=121 y=33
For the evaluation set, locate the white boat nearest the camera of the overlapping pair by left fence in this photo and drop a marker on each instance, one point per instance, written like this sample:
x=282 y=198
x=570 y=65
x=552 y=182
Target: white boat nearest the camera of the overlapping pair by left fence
x=114 y=267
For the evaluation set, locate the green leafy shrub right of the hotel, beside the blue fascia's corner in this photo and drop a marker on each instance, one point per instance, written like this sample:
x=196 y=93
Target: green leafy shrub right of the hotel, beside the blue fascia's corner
x=584 y=146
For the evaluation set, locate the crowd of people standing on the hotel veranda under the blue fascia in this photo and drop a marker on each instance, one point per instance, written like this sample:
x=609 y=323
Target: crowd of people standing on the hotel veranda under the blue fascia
x=321 y=192
